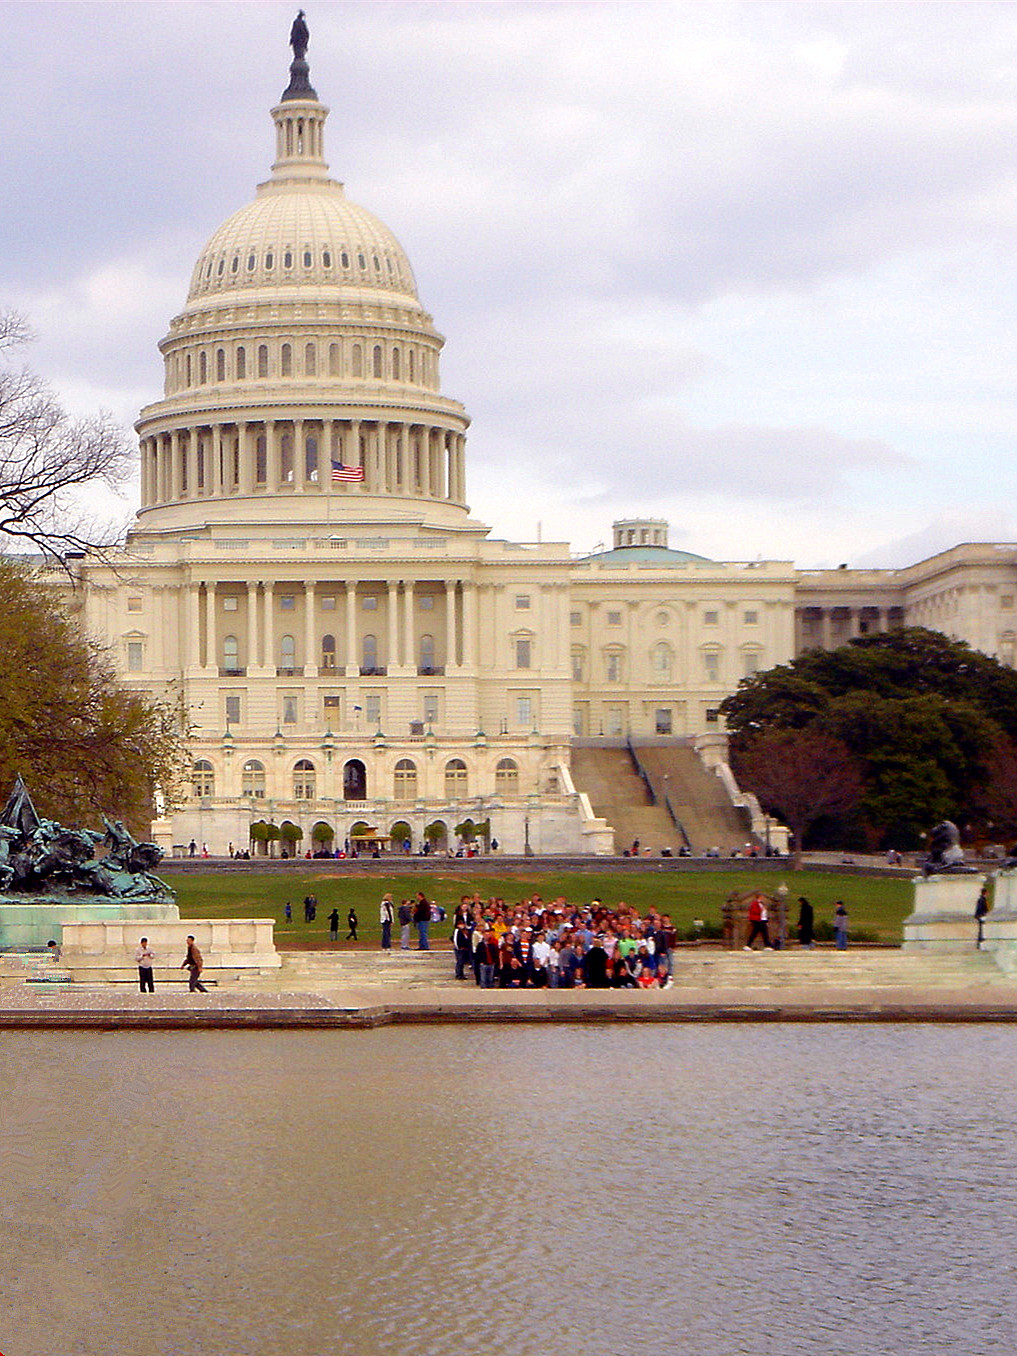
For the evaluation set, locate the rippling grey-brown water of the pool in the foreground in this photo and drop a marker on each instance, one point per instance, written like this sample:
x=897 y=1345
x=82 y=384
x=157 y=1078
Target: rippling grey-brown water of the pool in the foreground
x=711 y=1191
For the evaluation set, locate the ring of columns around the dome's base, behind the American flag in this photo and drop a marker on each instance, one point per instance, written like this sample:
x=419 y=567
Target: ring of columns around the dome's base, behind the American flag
x=296 y=455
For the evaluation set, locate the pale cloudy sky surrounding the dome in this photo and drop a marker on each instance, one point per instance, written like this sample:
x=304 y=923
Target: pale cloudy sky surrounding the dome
x=752 y=268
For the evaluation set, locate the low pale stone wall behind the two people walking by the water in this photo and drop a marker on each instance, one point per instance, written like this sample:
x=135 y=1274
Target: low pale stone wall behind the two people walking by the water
x=233 y=949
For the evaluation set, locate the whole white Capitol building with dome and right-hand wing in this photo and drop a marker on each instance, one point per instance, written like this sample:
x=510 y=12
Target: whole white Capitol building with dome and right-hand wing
x=355 y=650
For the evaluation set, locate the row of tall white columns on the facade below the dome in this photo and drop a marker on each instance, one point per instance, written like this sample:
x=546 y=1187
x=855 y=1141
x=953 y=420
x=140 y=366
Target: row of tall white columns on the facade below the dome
x=204 y=643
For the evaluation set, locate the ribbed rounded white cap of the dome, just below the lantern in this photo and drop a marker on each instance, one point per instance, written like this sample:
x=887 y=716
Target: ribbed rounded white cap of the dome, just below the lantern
x=303 y=233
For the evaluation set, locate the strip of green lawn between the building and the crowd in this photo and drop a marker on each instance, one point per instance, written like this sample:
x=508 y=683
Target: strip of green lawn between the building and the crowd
x=877 y=905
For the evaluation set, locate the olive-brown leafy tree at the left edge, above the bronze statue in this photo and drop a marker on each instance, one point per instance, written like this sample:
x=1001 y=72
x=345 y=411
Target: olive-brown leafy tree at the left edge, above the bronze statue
x=82 y=742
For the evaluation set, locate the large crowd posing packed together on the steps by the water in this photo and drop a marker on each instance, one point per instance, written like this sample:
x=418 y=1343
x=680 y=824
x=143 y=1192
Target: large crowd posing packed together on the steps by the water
x=562 y=946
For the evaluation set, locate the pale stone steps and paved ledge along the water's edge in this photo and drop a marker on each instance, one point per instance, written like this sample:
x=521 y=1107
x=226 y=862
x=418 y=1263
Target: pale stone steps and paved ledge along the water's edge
x=370 y=989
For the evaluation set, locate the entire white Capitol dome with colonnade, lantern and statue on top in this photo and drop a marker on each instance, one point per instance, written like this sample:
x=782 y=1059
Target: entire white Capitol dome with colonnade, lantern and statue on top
x=303 y=371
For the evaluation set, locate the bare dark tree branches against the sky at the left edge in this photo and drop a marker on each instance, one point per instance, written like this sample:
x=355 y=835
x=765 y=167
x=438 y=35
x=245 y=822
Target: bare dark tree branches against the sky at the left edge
x=47 y=459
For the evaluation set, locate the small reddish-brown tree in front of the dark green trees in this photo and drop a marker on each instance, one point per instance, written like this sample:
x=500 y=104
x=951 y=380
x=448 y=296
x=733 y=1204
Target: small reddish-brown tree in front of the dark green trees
x=801 y=778
